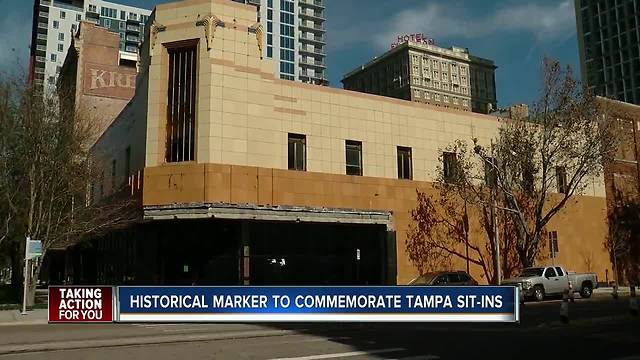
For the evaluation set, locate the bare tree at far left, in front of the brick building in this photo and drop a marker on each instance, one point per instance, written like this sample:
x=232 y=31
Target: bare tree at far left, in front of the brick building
x=45 y=169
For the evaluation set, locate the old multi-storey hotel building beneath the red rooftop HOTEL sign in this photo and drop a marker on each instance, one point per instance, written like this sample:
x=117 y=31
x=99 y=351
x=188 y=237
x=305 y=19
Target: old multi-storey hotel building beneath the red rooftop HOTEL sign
x=422 y=72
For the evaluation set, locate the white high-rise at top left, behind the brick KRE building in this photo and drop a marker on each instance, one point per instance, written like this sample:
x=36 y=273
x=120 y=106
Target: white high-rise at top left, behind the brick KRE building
x=55 y=22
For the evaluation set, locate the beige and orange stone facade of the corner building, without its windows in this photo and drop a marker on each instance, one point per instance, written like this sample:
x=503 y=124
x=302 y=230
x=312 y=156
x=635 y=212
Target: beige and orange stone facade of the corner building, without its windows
x=244 y=116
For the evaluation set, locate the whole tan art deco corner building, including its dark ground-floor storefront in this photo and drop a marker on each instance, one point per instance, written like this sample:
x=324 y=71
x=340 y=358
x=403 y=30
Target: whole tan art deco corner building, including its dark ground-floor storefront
x=251 y=179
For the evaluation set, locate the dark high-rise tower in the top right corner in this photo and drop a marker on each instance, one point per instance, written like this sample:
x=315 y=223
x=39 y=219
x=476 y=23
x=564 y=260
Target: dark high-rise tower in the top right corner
x=609 y=47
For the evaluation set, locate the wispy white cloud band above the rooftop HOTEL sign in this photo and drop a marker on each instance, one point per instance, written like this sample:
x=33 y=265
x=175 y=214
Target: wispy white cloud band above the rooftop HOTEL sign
x=546 y=22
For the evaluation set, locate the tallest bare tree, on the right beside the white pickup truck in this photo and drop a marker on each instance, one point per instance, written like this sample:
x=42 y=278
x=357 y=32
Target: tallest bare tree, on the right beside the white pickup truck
x=565 y=141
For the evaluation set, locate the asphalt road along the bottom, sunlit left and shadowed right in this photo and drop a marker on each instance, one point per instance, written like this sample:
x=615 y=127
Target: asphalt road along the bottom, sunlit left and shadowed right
x=598 y=329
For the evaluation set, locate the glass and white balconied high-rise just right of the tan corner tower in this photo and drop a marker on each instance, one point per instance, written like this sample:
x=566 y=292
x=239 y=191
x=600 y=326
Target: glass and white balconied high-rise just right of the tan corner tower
x=295 y=36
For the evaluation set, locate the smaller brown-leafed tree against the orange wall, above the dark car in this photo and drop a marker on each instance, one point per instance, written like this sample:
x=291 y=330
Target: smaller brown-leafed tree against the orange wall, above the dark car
x=457 y=221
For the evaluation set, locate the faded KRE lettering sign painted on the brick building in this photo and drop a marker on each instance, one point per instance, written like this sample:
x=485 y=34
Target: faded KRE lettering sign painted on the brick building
x=109 y=81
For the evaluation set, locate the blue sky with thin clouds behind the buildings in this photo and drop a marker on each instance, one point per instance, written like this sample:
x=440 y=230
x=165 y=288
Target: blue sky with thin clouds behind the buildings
x=516 y=34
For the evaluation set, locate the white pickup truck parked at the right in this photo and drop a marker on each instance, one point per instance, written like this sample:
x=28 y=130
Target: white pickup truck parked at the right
x=539 y=282
